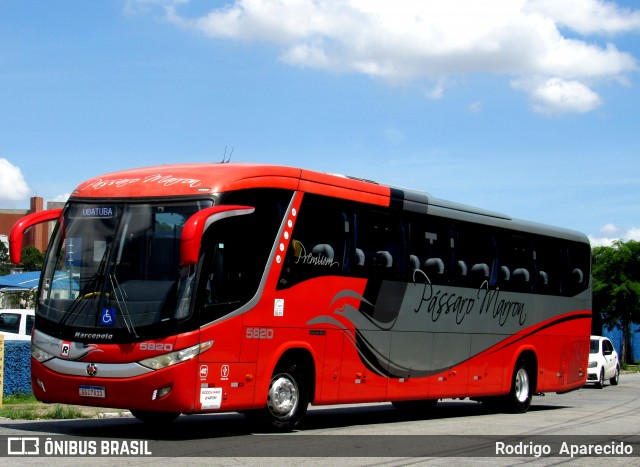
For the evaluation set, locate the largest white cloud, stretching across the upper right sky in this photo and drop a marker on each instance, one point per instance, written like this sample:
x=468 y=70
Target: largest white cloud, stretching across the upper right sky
x=406 y=41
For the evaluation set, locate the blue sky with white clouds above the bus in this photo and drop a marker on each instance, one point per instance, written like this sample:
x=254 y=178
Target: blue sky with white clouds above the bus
x=525 y=107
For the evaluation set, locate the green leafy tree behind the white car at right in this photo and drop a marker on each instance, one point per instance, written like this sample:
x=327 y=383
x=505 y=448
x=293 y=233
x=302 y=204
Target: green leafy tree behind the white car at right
x=616 y=289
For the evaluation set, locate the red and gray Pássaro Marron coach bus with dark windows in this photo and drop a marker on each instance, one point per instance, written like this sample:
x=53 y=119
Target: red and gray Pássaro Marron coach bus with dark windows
x=202 y=288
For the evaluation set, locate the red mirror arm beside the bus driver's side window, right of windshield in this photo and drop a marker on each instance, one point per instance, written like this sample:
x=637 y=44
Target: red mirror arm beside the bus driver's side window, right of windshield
x=196 y=226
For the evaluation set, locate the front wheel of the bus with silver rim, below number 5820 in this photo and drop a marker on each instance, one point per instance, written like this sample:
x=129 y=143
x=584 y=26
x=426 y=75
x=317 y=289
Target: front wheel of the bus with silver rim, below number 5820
x=287 y=398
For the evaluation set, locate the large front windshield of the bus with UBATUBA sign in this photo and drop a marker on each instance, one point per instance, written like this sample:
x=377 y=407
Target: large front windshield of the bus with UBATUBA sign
x=113 y=269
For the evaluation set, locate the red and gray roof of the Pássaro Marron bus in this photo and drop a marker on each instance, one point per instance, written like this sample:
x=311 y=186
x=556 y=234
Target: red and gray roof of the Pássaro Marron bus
x=211 y=178
